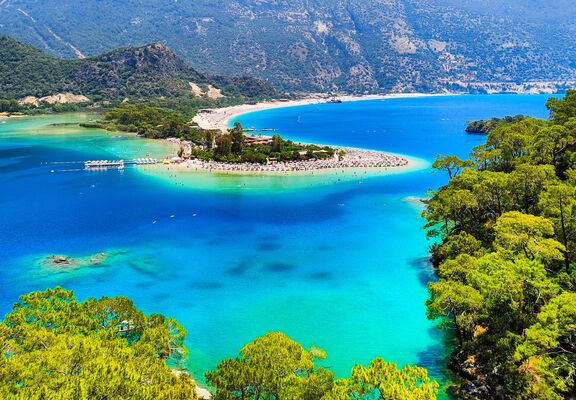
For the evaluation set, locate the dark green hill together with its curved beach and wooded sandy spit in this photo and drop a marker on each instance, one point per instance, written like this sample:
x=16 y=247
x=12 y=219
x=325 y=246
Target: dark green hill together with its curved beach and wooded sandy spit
x=156 y=95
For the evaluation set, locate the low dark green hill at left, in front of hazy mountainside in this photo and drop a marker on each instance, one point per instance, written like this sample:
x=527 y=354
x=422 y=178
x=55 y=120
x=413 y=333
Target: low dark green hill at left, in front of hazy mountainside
x=151 y=71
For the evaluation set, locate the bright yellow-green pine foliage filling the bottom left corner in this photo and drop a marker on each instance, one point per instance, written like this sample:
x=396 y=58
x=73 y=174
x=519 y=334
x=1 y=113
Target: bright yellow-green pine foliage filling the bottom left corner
x=52 y=346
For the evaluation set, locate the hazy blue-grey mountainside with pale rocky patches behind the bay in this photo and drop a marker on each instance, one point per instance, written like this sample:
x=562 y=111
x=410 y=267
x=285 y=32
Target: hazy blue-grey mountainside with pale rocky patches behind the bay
x=355 y=45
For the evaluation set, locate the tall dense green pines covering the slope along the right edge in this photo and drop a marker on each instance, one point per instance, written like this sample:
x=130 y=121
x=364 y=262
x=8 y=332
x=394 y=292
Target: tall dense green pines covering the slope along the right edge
x=507 y=259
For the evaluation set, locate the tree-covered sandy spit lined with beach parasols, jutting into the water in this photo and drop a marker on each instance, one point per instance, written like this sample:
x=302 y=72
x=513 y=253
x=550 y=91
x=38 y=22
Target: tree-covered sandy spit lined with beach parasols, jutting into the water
x=235 y=150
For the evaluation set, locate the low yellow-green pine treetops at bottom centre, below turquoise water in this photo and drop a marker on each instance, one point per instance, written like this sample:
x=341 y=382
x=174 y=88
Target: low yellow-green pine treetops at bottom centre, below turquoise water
x=274 y=367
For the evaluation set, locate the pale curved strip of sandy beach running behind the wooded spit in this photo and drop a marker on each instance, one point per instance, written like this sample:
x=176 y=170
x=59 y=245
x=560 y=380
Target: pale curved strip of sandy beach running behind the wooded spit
x=219 y=118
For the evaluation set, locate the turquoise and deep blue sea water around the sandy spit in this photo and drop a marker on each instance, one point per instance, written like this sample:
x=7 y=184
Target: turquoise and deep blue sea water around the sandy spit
x=340 y=265
